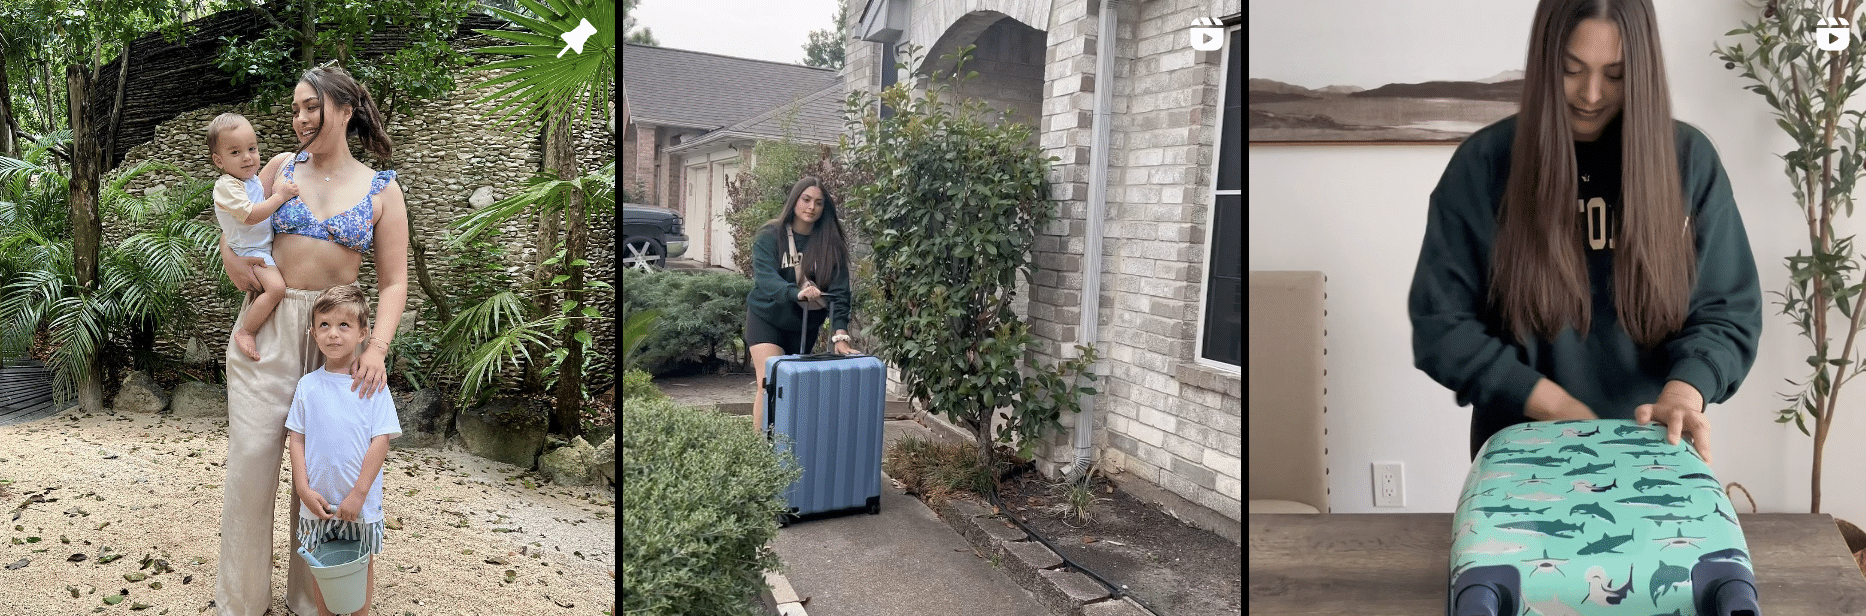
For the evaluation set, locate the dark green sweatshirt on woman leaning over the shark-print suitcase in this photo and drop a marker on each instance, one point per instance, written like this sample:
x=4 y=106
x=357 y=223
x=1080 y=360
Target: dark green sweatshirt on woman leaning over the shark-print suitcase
x=1458 y=341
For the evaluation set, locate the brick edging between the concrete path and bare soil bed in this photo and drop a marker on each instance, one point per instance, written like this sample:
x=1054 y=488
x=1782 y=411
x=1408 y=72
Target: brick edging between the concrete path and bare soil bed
x=1031 y=565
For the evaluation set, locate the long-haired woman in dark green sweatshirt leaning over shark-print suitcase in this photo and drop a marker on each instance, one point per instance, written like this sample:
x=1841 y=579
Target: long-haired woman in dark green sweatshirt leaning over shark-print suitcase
x=1585 y=259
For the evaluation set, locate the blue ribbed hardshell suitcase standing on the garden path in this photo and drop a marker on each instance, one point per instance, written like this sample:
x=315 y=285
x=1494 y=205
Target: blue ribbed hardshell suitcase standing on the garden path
x=831 y=408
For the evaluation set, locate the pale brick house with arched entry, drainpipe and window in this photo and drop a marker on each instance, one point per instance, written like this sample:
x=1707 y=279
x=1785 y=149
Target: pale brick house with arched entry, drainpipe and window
x=1169 y=283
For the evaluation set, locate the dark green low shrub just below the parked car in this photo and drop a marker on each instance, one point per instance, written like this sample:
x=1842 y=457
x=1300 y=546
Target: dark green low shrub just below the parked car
x=701 y=316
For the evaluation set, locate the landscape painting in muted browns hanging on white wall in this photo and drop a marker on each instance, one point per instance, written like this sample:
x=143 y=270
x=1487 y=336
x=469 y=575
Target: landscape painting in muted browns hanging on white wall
x=1384 y=72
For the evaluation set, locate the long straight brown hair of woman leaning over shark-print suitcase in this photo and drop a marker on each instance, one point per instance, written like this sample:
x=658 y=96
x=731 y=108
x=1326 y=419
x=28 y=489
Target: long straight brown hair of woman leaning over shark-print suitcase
x=1539 y=270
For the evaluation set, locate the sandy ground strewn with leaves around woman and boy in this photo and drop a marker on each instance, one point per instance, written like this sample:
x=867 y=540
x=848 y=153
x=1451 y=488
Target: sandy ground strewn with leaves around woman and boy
x=150 y=486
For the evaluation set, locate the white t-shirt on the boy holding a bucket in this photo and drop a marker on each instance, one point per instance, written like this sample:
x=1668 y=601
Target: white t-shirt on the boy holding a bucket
x=337 y=430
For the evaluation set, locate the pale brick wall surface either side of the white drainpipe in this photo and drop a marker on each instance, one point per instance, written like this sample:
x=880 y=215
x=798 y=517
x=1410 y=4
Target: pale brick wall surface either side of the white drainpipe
x=1162 y=417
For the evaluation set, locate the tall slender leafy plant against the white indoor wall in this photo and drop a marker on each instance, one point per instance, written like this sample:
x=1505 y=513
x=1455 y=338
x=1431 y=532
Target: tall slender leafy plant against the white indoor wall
x=1809 y=91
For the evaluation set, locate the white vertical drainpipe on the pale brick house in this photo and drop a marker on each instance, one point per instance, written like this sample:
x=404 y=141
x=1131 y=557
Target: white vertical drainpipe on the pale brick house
x=1098 y=206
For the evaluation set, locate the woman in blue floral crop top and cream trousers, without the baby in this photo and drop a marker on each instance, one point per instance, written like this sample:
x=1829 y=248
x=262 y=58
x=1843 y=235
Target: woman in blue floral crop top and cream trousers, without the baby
x=342 y=214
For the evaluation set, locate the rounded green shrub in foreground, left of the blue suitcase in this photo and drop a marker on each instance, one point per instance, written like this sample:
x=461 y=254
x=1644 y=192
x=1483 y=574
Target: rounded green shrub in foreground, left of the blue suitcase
x=701 y=501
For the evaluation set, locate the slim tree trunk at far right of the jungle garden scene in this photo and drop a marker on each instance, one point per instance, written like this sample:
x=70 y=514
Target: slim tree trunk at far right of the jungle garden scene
x=578 y=234
